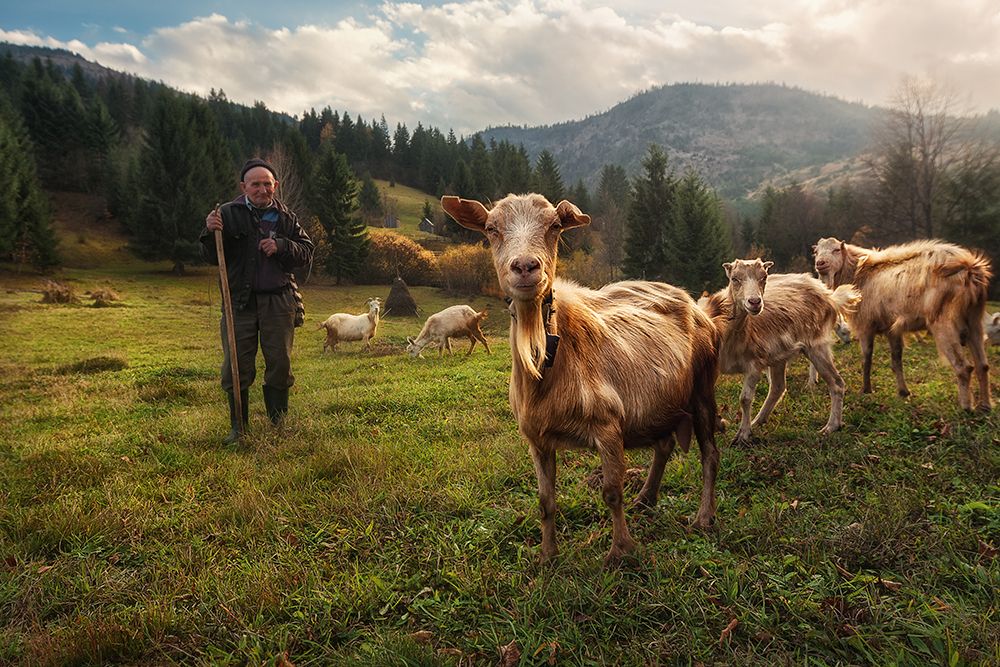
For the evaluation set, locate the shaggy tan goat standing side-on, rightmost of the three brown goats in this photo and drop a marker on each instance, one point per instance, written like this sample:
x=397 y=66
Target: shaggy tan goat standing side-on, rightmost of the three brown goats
x=910 y=287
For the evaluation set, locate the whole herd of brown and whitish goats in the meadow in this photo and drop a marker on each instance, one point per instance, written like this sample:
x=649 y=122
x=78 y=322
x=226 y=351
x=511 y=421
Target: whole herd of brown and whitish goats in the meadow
x=634 y=364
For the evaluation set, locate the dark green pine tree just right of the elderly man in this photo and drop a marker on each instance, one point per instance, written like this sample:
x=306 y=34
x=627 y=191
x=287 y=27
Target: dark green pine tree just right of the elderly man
x=334 y=201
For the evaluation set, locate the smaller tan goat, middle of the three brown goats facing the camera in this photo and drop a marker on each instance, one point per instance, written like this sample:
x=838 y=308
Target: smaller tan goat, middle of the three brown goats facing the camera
x=765 y=321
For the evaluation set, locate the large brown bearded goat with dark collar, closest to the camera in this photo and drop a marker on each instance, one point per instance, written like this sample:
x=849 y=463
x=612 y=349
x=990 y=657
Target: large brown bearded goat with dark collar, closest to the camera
x=624 y=366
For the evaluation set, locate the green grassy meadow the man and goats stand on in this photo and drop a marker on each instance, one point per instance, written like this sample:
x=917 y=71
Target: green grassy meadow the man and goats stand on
x=393 y=519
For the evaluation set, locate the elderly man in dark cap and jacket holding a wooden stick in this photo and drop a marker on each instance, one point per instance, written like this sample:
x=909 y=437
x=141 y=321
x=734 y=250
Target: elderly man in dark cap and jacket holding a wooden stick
x=263 y=243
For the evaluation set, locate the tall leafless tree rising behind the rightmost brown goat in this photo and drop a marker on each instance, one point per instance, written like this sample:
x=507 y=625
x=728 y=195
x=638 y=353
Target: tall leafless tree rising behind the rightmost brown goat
x=926 y=140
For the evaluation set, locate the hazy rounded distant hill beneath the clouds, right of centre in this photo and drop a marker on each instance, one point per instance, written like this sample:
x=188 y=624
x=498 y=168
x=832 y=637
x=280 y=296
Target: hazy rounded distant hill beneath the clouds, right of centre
x=736 y=136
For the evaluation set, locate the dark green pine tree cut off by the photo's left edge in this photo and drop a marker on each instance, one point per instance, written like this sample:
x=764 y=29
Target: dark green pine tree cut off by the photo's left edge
x=25 y=227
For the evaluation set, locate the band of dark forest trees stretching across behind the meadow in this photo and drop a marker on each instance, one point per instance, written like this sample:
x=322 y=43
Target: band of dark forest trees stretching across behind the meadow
x=162 y=158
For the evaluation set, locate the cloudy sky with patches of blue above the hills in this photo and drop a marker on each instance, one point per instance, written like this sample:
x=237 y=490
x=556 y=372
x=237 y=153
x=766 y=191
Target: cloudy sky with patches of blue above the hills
x=473 y=63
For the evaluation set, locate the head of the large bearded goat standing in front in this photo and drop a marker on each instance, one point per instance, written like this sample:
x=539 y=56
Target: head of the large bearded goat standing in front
x=523 y=231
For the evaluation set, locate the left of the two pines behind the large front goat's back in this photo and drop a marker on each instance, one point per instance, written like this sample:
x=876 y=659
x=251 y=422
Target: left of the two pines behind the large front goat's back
x=649 y=217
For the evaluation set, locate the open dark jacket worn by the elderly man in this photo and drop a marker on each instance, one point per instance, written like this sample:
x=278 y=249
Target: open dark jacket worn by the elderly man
x=240 y=239
